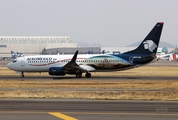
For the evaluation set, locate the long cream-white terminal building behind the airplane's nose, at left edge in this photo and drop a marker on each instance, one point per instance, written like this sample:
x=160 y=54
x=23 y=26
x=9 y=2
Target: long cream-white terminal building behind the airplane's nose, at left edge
x=32 y=45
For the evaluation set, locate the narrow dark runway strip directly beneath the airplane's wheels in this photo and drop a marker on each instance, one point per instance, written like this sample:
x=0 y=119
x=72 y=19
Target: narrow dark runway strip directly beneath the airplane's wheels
x=92 y=78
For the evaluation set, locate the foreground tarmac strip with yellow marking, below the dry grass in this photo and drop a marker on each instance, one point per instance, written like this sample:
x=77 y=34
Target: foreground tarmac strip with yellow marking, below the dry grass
x=75 y=109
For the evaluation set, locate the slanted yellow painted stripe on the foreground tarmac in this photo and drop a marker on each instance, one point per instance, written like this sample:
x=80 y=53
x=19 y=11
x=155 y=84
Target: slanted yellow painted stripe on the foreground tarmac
x=62 y=116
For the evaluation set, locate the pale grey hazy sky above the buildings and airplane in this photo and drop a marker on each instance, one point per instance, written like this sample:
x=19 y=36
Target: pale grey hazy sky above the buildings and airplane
x=111 y=23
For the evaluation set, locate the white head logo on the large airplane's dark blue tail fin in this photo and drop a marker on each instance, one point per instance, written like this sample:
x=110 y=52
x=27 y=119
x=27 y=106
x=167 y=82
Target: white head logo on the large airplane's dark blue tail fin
x=150 y=45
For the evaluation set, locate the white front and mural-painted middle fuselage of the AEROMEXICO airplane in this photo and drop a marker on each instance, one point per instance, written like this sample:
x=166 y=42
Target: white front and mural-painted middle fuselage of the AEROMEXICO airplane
x=42 y=63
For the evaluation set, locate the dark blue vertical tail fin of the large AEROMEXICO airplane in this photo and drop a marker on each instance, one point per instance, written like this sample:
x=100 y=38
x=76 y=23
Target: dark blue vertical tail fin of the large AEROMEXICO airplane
x=150 y=43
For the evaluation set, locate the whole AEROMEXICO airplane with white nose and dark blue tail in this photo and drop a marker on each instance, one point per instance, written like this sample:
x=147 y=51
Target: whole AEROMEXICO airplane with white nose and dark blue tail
x=60 y=65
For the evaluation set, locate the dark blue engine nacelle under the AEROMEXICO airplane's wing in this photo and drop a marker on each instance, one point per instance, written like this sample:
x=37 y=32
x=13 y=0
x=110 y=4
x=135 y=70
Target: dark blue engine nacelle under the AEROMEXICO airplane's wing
x=56 y=71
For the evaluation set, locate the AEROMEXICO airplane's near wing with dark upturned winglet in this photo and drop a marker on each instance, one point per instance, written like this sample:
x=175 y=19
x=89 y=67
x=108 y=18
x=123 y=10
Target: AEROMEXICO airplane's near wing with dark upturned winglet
x=74 y=67
